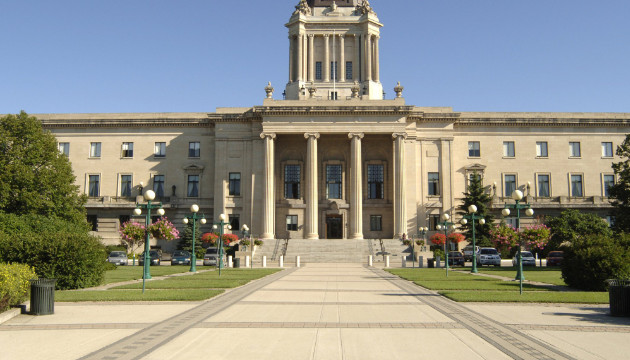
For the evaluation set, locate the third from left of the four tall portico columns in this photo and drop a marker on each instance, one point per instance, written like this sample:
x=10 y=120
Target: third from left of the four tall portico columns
x=356 y=188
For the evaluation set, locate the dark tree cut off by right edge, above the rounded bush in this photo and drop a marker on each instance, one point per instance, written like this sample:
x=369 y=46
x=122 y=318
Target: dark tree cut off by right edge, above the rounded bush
x=620 y=192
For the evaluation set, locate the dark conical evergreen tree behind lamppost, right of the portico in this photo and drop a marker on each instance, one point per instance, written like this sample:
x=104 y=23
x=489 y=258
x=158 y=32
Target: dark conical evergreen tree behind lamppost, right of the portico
x=476 y=195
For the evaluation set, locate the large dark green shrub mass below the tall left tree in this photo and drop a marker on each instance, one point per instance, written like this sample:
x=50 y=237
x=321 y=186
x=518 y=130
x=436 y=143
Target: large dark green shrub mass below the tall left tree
x=55 y=248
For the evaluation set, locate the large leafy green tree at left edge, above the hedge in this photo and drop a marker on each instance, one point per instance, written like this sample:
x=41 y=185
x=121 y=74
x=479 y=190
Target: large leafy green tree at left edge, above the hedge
x=35 y=178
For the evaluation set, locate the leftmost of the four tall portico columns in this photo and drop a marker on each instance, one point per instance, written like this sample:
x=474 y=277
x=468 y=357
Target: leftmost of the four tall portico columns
x=268 y=209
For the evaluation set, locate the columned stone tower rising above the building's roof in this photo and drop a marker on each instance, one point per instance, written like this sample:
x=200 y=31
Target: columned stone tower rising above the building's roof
x=333 y=51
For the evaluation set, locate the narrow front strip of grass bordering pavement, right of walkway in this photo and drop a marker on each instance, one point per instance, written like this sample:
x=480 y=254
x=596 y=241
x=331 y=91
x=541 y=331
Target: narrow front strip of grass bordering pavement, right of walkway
x=530 y=297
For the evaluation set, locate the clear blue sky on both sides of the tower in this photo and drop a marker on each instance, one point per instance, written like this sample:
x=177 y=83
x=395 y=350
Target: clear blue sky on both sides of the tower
x=70 y=56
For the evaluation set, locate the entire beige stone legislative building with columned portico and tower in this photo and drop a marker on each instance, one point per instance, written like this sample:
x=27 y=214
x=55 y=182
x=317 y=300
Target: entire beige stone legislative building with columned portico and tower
x=333 y=159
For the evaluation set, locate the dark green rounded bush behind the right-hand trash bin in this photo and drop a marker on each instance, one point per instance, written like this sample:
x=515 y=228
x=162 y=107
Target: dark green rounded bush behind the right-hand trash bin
x=590 y=260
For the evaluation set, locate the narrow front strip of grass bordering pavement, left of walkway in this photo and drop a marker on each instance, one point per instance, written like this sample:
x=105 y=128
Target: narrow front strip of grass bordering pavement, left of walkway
x=136 y=295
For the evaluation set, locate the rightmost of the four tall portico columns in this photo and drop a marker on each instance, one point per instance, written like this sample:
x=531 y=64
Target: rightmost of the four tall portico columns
x=400 y=218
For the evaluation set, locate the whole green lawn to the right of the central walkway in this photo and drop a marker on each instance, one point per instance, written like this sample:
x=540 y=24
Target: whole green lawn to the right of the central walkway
x=466 y=287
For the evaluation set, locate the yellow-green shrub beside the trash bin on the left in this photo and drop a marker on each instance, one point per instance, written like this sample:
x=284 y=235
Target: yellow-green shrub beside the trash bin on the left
x=14 y=284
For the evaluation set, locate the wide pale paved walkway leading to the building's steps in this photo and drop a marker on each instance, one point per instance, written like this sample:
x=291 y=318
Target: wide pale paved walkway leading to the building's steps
x=320 y=311
